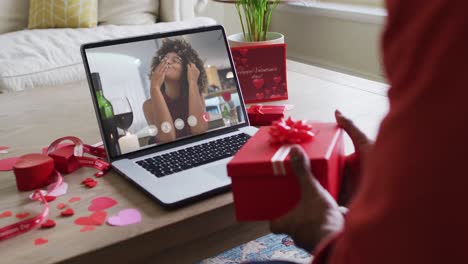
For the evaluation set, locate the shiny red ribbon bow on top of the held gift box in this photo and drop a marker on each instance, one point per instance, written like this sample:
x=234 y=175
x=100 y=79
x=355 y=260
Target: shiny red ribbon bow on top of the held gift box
x=290 y=132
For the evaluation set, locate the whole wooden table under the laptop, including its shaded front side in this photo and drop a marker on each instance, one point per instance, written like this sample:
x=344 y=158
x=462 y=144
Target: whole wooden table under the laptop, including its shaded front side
x=31 y=120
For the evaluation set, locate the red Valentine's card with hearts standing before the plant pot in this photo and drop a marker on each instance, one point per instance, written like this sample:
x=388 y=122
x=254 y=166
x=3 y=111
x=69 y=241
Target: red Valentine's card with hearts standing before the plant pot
x=261 y=71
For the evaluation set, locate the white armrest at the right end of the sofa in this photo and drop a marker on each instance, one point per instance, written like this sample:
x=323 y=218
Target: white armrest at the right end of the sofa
x=176 y=10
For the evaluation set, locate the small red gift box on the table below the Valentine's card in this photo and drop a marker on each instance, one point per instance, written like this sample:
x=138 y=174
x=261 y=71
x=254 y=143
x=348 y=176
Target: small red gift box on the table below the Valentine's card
x=264 y=115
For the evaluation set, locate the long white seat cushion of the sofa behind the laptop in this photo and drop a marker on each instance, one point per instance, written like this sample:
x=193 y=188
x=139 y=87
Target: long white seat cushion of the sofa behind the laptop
x=43 y=57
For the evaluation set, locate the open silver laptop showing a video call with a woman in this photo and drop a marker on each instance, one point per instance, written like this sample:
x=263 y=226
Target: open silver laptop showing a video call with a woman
x=170 y=110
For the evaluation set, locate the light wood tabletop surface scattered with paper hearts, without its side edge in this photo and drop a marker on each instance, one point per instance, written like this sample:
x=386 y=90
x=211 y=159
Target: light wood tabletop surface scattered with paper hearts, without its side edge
x=30 y=120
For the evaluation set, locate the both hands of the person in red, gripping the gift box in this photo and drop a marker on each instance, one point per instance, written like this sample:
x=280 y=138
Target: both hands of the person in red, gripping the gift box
x=317 y=215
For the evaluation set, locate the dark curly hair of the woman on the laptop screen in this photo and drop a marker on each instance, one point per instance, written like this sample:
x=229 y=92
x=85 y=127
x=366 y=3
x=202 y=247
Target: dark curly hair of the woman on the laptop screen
x=184 y=50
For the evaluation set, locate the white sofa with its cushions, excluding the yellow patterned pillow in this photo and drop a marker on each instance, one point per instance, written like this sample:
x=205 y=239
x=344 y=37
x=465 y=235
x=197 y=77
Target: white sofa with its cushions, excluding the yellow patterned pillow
x=31 y=59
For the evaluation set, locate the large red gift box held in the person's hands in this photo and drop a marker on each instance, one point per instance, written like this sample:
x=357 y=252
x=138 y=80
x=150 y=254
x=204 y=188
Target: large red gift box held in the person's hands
x=263 y=191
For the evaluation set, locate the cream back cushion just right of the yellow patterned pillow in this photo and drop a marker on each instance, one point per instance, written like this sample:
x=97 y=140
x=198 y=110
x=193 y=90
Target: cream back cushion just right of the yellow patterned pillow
x=128 y=12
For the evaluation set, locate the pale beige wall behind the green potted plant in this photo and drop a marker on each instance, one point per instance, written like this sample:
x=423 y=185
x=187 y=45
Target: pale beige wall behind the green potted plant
x=341 y=42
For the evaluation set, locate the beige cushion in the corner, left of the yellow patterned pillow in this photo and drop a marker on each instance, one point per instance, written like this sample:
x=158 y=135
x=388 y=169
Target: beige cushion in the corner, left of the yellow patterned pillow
x=13 y=15
